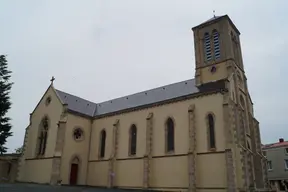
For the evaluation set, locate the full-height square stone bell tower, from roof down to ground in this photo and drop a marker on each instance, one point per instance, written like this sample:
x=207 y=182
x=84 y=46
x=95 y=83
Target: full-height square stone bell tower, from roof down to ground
x=218 y=58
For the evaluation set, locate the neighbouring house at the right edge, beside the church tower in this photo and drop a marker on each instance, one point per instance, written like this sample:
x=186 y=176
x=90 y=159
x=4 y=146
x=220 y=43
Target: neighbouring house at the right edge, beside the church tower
x=277 y=163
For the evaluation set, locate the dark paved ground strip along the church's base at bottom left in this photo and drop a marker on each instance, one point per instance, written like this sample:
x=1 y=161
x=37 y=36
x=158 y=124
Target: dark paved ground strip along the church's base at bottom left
x=46 y=188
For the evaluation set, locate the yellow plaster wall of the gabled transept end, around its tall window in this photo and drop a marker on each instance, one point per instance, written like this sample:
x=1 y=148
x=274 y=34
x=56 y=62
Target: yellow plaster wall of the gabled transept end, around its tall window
x=42 y=167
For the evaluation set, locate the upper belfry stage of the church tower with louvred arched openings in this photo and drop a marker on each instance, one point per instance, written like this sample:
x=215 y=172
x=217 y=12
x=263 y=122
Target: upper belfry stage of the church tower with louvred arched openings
x=217 y=50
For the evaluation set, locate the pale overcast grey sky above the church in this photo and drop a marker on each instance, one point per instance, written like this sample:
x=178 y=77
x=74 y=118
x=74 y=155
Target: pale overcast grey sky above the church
x=102 y=49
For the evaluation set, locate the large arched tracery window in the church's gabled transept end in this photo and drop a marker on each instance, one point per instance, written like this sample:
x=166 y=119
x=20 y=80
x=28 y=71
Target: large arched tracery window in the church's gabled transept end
x=43 y=135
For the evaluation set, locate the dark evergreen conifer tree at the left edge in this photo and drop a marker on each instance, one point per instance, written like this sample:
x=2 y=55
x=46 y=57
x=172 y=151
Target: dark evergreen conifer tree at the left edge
x=5 y=104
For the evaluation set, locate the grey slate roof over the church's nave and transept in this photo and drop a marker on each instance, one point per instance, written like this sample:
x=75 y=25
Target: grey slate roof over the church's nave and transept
x=85 y=107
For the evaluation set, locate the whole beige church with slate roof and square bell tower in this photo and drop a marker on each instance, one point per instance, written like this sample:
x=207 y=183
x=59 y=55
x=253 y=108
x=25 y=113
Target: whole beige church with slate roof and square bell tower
x=198 y=135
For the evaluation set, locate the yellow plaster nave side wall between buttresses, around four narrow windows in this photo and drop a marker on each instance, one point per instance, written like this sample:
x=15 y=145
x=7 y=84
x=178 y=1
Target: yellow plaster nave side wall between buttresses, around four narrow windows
x=178 y=166
